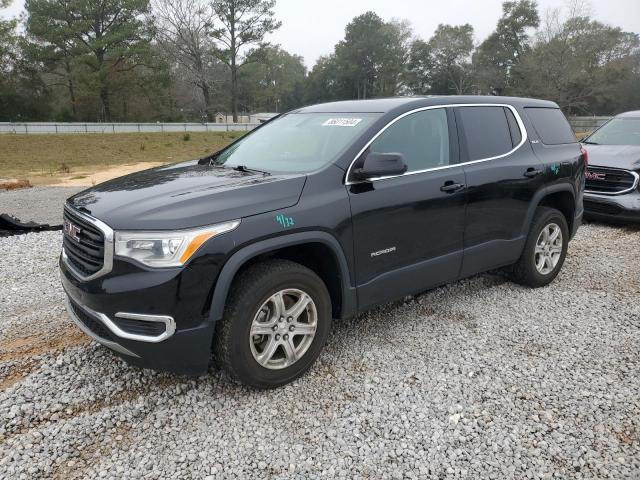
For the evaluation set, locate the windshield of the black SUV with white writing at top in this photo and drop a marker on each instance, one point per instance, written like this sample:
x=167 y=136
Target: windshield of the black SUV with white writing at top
x=297 y=142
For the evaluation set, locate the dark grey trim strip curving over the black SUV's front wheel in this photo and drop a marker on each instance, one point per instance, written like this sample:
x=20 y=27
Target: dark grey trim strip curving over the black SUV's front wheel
x=239 y=258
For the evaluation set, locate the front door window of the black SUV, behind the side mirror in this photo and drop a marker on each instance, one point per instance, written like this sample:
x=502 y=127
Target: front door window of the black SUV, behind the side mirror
x=422 y=138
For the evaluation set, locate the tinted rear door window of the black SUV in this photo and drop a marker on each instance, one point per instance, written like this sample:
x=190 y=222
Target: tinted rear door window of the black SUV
x=486 y=131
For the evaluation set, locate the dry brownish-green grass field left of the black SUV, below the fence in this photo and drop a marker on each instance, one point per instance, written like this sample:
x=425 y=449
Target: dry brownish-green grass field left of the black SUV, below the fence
x=24 y=156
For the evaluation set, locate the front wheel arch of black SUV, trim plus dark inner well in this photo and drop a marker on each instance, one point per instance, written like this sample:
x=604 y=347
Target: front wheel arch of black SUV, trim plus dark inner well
x=304 y=248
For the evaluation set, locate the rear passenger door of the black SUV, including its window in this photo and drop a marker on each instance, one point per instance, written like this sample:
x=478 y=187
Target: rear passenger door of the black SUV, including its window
x=502 y=176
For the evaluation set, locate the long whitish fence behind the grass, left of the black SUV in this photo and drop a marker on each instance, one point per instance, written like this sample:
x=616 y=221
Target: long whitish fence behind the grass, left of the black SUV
x=47 y=127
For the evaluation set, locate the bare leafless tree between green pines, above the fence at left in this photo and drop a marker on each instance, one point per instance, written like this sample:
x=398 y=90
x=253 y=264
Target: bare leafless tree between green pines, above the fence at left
x=184 y=32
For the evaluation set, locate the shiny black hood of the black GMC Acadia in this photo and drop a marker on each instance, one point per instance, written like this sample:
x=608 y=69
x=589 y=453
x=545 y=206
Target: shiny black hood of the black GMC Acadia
x=186 y=195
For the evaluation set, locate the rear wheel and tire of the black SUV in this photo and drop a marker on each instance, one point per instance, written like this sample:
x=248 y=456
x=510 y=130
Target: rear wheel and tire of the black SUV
x=526 y=270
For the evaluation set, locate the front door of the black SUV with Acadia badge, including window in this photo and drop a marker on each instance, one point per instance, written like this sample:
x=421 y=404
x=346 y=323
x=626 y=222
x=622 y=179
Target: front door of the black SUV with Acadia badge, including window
x=408 y=229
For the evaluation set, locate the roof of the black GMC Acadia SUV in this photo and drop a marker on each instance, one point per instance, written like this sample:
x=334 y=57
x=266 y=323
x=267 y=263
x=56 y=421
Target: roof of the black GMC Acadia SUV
x=383 y=105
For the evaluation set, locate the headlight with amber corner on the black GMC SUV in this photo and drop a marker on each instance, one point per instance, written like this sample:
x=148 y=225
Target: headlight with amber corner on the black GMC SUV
x=167 y=249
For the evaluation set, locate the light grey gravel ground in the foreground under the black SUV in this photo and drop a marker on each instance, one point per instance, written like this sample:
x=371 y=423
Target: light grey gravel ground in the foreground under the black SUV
x=479 y=379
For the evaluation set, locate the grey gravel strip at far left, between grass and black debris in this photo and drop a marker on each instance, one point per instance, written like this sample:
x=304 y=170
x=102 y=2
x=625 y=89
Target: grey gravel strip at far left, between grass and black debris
x=37 y=204
